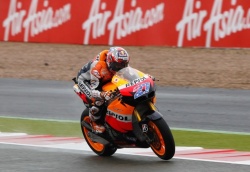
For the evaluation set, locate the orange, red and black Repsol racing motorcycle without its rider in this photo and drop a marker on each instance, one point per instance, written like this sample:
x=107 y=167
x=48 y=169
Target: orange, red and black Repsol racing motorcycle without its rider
x=130 y=117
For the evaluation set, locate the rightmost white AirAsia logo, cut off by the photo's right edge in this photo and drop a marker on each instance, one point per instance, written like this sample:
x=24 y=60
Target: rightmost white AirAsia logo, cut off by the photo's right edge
x=219 y=25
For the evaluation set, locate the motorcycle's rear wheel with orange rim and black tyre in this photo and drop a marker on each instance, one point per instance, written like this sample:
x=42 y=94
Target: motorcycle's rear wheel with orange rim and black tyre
x=98 y=148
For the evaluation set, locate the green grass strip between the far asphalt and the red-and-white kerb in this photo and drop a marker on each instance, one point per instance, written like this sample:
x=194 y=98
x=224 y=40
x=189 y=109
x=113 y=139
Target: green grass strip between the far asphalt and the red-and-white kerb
x=202 y=138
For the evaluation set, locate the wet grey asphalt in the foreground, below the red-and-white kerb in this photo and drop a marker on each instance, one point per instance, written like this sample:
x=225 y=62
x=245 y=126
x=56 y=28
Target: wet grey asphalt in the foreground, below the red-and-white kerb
x=29 y=159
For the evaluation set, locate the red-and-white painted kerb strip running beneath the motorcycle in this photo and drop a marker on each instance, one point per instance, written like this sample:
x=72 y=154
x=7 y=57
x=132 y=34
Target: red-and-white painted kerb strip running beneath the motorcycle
x=187 y=153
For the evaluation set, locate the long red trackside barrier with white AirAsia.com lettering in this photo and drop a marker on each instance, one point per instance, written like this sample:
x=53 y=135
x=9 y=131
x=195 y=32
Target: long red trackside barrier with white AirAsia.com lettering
x=181 y=23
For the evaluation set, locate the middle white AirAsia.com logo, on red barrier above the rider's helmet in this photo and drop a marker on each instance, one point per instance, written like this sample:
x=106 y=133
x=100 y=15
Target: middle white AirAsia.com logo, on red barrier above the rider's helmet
x=122 y=23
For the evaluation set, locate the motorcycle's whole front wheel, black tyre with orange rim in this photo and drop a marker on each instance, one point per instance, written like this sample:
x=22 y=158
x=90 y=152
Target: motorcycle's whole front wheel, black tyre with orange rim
x=162 y=143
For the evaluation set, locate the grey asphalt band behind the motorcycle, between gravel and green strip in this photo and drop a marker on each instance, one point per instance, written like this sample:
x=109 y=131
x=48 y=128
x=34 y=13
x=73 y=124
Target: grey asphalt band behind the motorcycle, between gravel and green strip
x=196 y=108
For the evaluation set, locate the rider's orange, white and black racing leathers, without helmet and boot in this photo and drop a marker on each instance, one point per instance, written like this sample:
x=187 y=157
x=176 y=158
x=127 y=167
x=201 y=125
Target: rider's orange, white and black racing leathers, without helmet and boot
x=91 y=77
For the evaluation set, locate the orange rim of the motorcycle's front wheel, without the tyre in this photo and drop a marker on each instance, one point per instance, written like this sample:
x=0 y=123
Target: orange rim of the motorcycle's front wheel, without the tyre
x=158 y=144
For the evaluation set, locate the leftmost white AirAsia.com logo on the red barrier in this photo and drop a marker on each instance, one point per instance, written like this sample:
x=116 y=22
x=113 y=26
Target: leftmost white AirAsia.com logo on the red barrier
x=33 y=21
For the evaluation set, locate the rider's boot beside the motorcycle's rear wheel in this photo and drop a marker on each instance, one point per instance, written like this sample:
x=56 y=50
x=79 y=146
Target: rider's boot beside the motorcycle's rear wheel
x=94 y=116
